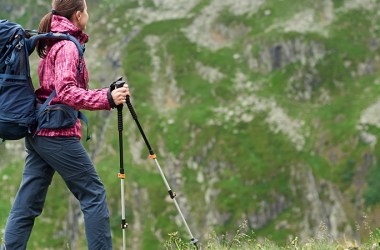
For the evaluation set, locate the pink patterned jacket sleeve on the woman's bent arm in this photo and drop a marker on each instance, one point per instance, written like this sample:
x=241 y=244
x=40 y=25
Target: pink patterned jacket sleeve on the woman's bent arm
x=65 y=82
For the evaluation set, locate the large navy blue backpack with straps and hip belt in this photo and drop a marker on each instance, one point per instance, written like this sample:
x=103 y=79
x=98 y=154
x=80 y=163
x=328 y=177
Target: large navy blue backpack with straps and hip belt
x=21 y=113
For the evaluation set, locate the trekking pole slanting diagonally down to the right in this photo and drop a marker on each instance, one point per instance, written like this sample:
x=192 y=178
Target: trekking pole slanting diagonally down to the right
x=153 y=157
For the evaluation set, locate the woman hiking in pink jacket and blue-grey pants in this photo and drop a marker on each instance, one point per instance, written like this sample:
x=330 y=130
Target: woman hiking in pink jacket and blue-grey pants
x=60 y=150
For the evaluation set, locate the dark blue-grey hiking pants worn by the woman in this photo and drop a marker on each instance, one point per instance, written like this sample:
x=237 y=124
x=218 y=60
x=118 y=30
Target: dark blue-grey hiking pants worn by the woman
x=66 y=155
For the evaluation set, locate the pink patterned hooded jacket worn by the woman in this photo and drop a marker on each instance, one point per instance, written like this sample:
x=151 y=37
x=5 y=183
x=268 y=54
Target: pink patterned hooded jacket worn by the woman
x=59 y=71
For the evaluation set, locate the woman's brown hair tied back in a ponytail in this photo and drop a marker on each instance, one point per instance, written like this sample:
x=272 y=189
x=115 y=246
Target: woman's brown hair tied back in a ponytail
x=65 y=8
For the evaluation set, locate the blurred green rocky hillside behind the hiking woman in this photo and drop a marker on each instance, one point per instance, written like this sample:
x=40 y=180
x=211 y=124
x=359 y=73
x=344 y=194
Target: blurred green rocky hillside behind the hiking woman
x=258 y=111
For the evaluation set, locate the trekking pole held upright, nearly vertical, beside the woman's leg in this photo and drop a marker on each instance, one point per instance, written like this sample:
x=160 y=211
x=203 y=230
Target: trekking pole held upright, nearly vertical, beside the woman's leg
x=124 y=225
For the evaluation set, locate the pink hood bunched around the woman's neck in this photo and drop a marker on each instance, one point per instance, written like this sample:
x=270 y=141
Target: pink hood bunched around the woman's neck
x=63 y=25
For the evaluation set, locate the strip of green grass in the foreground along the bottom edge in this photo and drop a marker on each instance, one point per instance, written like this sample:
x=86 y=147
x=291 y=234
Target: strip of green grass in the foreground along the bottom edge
x=243 y=238
